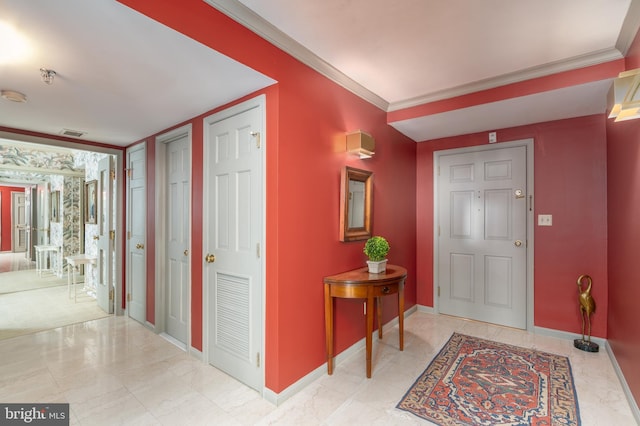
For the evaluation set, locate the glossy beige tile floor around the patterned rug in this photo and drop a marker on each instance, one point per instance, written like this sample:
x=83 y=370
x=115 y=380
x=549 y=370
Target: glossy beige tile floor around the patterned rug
x=115 y=371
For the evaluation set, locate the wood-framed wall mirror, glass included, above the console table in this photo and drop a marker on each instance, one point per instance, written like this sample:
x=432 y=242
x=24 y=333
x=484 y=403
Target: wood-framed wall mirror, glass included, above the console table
x=356 y=193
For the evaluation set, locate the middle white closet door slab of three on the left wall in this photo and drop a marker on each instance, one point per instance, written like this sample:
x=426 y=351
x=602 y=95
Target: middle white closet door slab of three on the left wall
x=178 y=202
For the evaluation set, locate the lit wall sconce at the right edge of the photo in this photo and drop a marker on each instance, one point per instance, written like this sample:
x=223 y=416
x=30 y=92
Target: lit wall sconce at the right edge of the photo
x=623 y=99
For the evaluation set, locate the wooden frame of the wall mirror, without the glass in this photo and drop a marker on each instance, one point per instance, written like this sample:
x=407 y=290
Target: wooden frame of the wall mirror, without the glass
x=348 y=175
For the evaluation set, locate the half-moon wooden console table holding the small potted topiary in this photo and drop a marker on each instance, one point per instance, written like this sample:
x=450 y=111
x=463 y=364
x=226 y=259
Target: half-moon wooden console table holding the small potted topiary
x=360 y=284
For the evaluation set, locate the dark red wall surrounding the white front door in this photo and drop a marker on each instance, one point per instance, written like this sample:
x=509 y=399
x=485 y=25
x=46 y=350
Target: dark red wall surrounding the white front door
x=570 y=184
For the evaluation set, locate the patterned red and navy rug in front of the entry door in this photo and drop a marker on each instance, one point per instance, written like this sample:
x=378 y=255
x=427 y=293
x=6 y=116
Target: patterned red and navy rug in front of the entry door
x=479 y=382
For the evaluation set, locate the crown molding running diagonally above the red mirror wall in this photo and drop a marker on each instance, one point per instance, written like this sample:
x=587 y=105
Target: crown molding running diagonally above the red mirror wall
x=254 y=22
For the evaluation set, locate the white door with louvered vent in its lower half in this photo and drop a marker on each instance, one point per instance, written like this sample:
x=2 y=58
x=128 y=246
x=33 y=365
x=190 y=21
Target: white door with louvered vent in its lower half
x=234 y=212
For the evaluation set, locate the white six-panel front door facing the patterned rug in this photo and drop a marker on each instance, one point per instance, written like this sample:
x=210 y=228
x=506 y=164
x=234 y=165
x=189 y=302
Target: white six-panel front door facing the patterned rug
x=482 y=244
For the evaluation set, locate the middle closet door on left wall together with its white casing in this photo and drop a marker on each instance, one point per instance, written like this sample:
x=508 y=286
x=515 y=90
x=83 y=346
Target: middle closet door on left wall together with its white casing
x=172 y=236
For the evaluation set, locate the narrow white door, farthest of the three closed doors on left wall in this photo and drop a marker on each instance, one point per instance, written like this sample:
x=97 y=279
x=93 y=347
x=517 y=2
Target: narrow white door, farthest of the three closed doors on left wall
x=136 y=233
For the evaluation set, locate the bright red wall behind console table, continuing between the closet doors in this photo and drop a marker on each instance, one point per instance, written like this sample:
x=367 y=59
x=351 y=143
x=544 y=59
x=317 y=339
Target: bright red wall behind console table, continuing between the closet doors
x=307 y=117
